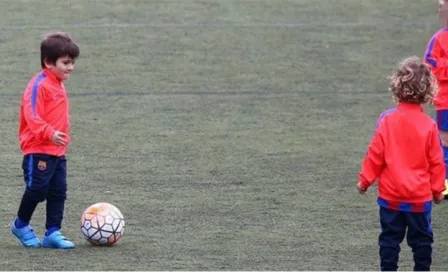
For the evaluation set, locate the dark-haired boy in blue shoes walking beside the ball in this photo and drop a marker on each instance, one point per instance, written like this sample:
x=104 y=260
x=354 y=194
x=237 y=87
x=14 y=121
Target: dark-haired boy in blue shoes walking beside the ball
x=43 y=136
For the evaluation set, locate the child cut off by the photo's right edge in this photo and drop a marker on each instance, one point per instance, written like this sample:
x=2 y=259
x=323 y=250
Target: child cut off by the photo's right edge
x=437 y=59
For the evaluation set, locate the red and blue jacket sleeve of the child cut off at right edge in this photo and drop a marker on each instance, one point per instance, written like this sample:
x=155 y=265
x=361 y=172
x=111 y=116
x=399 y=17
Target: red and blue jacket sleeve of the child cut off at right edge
x=435 y=57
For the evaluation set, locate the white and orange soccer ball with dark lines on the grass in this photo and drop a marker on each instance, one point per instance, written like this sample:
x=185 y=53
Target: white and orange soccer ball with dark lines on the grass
x=102 y=224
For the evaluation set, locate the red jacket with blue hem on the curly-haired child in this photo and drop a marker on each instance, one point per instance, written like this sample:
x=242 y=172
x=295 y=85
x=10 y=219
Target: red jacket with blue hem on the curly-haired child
x=406 y=157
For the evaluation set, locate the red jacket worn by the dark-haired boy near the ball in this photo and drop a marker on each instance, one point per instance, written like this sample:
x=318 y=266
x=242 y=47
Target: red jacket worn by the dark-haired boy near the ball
x=44 y=110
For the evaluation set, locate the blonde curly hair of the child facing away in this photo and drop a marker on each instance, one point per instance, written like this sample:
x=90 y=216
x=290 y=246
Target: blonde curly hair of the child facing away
x=413 y=82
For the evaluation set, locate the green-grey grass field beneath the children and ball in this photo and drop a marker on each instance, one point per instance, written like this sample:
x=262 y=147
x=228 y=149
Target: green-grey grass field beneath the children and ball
x=228 y=132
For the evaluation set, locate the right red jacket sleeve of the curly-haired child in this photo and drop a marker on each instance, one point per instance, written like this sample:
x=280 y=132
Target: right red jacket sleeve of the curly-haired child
x=436 y=163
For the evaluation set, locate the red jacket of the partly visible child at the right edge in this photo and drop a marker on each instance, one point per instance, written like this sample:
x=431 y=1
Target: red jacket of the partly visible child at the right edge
x=437 y=58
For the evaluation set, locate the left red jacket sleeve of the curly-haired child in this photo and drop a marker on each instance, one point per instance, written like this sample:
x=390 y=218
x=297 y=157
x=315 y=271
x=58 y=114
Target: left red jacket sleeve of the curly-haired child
x=373 y=162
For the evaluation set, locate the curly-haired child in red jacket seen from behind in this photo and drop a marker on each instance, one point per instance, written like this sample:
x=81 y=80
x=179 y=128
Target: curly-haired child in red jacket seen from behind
x=406 y=157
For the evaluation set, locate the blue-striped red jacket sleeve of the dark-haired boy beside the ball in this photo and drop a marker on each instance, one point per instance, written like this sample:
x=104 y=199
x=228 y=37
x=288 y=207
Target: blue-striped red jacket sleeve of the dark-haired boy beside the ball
x=33 y=104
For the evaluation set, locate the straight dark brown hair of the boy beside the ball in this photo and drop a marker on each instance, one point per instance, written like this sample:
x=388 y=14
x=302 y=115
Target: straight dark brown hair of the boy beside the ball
x=57 y=45
